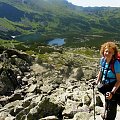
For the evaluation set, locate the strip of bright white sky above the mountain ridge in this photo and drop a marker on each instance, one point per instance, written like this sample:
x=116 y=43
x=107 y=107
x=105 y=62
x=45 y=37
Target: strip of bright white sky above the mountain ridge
x=99 y=3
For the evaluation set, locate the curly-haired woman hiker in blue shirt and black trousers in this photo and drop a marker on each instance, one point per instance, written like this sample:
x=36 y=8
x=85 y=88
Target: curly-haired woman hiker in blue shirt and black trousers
x=109 y=80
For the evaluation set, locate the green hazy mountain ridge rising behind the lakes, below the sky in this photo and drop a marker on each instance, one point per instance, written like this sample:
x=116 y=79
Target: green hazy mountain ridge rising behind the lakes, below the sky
x=57 y=18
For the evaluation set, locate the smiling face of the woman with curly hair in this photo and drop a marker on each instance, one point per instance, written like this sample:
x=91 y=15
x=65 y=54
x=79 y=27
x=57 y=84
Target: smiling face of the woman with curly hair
x=108 y=52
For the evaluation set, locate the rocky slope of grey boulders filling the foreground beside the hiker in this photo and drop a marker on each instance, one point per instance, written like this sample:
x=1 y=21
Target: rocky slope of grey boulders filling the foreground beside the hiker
x=33 y=89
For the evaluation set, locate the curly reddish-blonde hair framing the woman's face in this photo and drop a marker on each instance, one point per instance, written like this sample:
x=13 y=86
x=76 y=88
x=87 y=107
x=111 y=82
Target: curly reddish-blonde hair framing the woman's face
x=109 y=44
